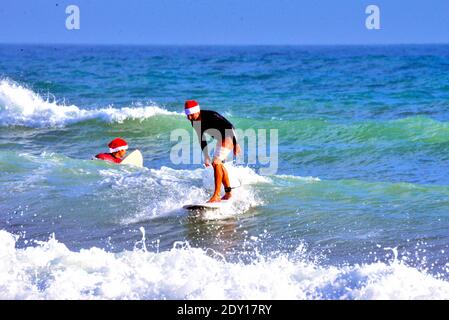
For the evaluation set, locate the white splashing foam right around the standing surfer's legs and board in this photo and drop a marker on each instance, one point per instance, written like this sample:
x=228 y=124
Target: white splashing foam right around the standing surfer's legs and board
x=166 y=190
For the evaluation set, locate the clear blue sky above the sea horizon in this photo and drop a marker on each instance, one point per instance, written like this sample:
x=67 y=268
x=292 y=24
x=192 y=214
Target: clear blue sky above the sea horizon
x=224 y=22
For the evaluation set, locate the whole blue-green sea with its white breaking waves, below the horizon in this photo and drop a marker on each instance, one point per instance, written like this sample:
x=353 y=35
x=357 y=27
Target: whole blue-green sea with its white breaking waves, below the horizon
x=357 y=208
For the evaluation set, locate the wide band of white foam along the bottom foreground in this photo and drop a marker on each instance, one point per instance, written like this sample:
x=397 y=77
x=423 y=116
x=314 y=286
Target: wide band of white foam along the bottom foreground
x=51 y=271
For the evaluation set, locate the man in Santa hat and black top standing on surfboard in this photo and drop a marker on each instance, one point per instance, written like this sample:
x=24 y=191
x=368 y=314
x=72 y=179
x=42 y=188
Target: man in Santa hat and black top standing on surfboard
x=217 y=126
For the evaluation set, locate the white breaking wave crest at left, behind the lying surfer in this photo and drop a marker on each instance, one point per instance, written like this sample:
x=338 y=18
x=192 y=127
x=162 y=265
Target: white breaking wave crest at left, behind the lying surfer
x=22 y=106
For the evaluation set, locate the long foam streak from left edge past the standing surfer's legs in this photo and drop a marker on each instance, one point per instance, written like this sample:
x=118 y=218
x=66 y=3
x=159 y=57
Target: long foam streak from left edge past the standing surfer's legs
x=151 y=193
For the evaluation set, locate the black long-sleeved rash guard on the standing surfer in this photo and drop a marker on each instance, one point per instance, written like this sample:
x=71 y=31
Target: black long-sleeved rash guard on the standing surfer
x=213 y=121
